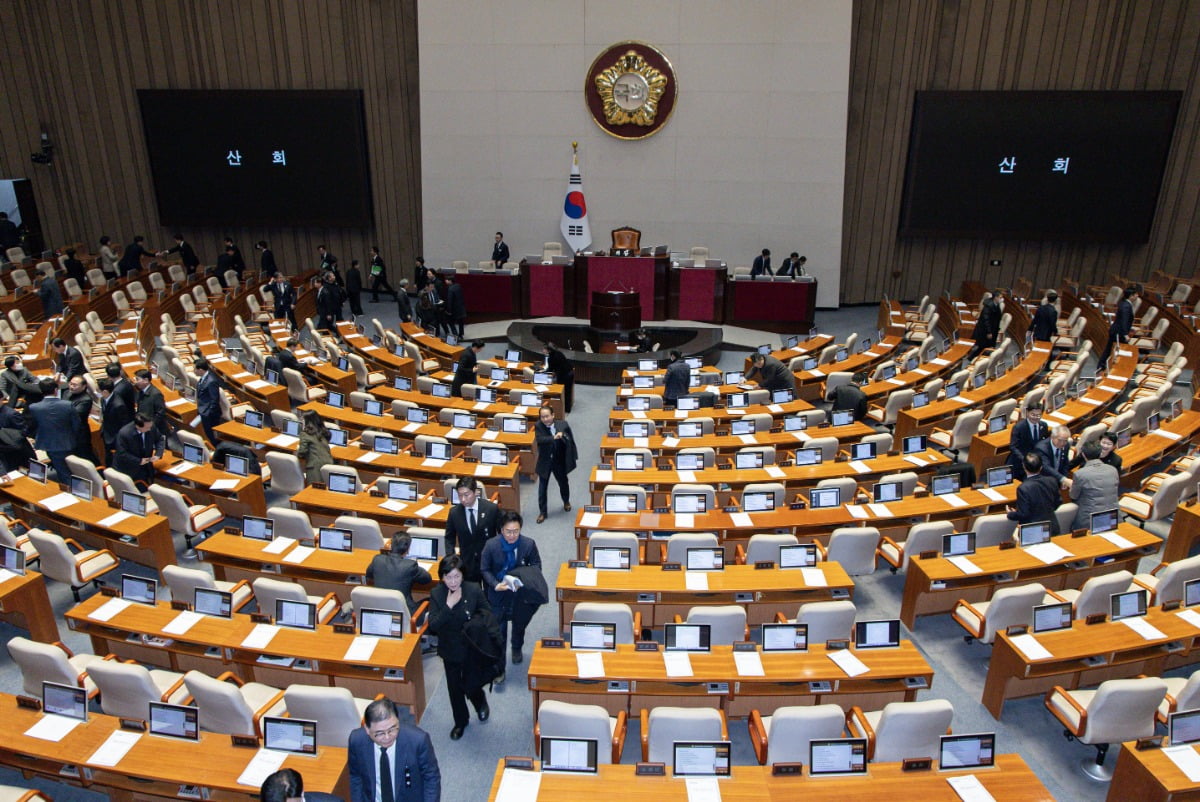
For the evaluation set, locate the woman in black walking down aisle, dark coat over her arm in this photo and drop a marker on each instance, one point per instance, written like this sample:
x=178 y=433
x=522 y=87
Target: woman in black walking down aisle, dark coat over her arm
x=452 y=606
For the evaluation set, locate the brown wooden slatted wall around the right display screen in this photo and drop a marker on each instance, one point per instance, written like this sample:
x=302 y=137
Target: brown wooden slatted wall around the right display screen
x=904 y=46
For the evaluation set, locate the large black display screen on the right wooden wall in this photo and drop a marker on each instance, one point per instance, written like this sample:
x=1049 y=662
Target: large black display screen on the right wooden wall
x=1037 y=165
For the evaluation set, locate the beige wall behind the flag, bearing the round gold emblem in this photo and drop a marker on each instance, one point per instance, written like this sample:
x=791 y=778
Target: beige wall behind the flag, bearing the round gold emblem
x=753 y=157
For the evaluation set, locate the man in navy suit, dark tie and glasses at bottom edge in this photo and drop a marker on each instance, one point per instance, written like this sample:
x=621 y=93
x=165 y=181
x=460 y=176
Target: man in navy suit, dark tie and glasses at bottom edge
x=405 y=753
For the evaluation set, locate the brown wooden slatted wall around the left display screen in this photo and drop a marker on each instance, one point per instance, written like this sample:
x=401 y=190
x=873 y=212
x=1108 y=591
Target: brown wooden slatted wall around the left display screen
x=73 y=69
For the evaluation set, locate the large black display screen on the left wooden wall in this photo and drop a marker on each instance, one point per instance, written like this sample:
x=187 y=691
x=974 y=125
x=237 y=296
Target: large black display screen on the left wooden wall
x=257 y=158
